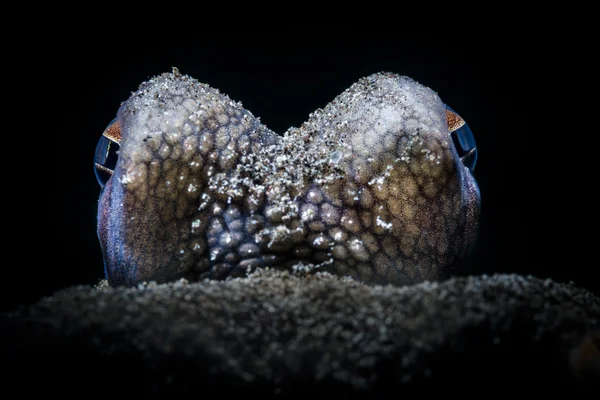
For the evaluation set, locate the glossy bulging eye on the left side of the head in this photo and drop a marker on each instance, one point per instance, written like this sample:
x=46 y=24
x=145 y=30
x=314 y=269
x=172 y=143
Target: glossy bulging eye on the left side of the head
x=107 y=150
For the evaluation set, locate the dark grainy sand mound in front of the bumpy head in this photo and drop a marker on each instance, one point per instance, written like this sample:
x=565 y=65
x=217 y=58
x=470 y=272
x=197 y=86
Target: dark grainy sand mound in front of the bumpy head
x=276 y=334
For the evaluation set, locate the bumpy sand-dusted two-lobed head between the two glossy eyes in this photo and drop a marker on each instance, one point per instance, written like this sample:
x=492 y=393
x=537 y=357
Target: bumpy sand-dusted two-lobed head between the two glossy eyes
x=371 y=186
